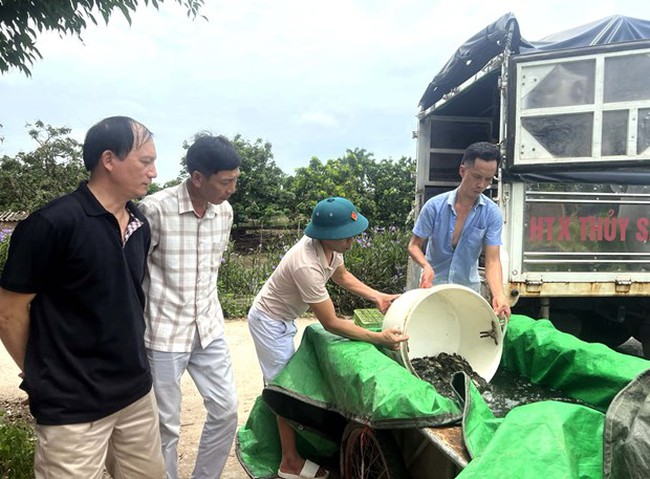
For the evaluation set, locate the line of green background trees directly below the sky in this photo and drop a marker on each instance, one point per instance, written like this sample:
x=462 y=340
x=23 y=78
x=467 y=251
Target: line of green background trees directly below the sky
x=382 y=190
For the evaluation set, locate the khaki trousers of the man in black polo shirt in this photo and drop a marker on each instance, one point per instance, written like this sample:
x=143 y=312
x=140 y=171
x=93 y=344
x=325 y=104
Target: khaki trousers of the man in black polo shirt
x=126 y=442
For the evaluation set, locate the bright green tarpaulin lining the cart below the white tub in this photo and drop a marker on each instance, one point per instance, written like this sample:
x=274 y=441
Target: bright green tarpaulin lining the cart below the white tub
x=332 y=380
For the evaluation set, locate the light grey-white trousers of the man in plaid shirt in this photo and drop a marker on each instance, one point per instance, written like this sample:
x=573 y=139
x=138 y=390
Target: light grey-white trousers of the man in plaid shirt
x=212 y=373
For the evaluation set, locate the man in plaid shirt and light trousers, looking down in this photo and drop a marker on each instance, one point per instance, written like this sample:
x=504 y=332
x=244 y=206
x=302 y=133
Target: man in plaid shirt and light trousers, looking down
x=190 y=228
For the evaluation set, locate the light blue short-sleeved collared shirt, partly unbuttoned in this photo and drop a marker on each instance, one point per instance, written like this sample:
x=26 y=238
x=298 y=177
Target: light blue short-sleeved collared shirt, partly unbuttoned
x=436 y=223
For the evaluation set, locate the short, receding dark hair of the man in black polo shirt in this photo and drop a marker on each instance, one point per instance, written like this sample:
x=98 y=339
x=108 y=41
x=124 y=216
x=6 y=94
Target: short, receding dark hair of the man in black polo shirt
x=119 y=134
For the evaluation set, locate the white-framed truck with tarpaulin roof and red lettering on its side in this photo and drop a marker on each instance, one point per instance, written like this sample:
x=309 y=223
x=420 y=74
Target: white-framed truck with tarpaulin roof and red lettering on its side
x=571 y=115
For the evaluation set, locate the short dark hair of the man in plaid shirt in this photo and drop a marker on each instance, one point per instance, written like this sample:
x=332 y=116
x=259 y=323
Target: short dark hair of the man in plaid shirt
x=210 y=154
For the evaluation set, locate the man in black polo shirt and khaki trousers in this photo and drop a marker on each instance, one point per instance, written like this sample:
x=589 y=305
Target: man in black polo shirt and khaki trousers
x=71 y=315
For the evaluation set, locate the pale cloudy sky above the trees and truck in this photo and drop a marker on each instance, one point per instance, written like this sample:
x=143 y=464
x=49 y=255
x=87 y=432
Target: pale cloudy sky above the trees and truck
x=312 y=78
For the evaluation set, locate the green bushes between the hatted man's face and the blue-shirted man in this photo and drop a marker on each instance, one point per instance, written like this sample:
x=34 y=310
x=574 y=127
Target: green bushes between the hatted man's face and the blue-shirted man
x=379 y=259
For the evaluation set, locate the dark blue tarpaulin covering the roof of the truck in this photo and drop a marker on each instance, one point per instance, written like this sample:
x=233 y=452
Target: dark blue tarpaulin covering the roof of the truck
x=504 y=33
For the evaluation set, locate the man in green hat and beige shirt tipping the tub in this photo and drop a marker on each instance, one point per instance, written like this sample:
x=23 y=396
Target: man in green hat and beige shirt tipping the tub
x=298 y=284
